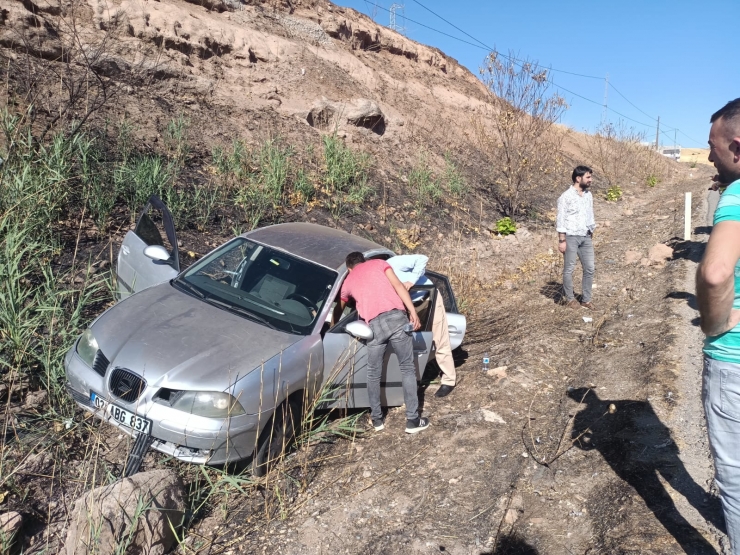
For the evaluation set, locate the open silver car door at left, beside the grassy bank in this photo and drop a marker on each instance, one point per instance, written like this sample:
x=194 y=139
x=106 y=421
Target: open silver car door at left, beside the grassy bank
x=135 y=271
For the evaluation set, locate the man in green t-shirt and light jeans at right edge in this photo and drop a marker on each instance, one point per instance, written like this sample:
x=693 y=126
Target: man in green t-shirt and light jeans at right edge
x=718 y=296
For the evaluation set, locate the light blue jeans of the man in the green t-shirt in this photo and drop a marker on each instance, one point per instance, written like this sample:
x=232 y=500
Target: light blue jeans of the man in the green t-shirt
x=721 y=397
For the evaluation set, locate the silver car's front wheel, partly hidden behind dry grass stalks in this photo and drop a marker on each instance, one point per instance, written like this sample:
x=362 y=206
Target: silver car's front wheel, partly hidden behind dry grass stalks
x=277 y=436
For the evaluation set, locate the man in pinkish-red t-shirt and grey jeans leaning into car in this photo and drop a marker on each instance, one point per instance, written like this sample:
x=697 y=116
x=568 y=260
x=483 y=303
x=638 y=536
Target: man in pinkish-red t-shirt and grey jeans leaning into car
x=382 y=301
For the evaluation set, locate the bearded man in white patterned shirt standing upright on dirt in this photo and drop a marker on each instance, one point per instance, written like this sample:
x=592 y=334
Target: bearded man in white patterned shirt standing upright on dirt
x=575 y=226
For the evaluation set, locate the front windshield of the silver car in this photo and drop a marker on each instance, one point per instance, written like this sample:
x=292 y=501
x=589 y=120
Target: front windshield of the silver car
x=262 y=284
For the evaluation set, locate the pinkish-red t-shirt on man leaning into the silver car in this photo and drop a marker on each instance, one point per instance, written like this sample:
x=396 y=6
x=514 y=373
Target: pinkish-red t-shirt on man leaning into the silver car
x=368 y=285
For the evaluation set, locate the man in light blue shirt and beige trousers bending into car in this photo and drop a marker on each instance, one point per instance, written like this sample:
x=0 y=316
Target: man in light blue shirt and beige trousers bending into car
x=409 y=269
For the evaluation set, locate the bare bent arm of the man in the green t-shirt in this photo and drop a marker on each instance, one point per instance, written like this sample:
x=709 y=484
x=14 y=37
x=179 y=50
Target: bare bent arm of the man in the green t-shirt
x=715 y=279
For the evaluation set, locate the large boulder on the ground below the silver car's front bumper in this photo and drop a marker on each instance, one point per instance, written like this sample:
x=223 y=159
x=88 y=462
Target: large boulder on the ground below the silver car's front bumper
x=112 y=510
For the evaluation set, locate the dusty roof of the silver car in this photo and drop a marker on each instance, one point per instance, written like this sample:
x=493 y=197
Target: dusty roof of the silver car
x=317 y=243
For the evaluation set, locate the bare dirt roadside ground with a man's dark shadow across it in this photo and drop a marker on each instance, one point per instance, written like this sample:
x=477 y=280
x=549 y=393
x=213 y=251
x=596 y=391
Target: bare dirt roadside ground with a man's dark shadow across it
x=637 y=479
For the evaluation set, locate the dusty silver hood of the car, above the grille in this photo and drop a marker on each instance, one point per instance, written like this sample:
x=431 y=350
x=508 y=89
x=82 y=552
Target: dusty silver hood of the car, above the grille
x=177 y=341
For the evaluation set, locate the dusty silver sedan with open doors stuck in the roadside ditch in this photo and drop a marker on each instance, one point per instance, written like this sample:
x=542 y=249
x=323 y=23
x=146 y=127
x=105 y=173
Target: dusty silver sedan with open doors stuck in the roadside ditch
x=215 y=364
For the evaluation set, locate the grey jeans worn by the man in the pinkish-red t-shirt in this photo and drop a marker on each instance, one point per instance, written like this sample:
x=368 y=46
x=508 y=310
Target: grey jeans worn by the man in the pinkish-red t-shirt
x=388 y=328
